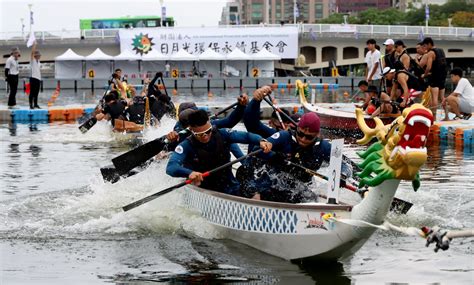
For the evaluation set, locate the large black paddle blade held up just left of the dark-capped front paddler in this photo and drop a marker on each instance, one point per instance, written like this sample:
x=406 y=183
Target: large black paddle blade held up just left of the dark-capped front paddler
x=137 y=156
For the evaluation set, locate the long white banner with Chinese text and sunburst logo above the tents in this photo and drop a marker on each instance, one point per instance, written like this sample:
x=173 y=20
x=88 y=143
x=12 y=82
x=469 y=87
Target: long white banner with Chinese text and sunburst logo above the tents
x=282 y=41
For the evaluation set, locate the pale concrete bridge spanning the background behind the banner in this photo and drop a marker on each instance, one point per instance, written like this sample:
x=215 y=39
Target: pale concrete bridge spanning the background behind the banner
x=320 y=43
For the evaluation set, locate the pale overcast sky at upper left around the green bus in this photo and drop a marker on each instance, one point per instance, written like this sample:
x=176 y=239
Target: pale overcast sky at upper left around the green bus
x=55 y=15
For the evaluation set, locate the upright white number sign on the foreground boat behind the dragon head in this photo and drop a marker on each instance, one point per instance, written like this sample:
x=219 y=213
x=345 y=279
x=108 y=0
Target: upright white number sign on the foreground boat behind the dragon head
x=335 y=171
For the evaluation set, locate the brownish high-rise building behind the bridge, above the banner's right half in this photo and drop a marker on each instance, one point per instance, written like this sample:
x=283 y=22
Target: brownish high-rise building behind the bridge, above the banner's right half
x=282 y=11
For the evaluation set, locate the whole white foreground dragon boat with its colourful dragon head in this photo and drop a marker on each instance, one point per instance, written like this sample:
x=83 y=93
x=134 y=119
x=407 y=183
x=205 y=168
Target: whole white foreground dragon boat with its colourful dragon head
x=317 y=230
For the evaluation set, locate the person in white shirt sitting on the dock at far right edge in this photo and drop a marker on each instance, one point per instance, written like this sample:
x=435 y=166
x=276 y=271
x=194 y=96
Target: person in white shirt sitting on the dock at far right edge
x=461 y=101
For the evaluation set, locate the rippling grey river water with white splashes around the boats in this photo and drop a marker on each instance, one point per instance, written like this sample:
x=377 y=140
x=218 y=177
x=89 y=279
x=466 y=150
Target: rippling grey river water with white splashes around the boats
x=59 y=222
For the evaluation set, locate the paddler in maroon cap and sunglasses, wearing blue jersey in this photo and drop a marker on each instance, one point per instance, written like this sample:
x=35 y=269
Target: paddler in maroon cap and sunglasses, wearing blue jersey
x=281 y=181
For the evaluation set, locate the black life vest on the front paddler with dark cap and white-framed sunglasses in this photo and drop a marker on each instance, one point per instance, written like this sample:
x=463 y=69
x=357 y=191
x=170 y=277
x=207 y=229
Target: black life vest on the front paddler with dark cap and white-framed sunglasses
x=209 y=156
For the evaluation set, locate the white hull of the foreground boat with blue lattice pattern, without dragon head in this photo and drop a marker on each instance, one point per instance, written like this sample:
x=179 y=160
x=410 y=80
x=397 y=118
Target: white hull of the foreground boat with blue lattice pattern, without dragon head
x=289 y=231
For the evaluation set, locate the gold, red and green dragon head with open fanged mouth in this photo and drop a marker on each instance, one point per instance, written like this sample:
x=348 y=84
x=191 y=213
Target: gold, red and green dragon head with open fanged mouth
x=400 y=150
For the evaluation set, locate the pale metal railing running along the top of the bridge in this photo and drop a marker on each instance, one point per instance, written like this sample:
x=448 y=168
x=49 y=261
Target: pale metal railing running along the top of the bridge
x=304 y=29
